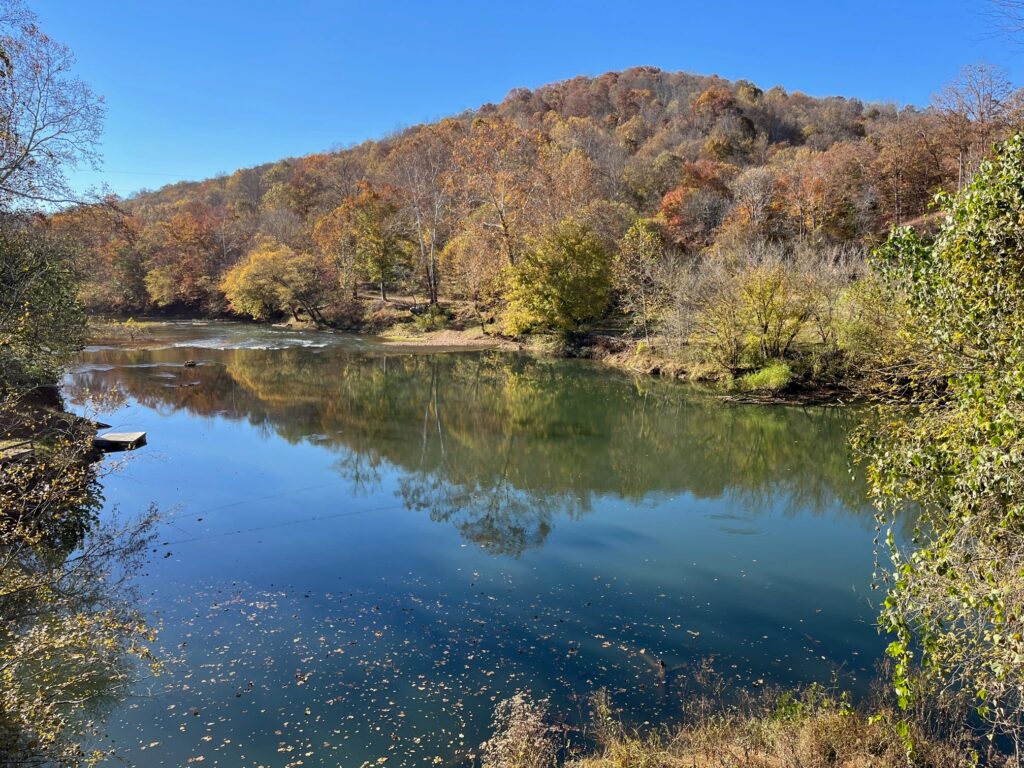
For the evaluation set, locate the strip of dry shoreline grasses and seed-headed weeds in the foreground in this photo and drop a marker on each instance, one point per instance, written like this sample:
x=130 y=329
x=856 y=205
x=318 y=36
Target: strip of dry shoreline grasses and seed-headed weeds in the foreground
x=815 y=728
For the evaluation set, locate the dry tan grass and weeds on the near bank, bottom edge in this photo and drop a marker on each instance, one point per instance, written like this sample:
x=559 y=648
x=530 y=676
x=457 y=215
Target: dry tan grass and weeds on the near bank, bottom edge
x=813 y=730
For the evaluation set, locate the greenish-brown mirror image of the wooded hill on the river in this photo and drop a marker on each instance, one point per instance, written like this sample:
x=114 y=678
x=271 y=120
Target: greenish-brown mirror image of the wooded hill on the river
x=498 y=445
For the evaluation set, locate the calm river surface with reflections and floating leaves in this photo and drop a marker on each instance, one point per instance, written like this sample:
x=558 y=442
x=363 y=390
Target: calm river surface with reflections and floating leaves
x=363 y=549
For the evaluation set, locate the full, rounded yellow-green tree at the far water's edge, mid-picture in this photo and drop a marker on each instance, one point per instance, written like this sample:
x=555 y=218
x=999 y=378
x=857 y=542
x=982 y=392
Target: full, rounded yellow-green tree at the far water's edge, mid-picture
x=563 y=283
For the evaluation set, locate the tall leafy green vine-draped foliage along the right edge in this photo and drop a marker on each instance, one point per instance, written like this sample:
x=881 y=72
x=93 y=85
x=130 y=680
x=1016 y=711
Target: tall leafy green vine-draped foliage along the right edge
x=956 y=596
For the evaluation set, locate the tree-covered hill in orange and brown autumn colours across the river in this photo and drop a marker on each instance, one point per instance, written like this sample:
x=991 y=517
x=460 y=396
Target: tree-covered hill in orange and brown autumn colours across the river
x=641 y=194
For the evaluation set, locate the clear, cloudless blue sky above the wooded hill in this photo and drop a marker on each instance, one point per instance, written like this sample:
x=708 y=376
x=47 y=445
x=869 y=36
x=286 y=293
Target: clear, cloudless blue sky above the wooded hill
x=198 y=89
